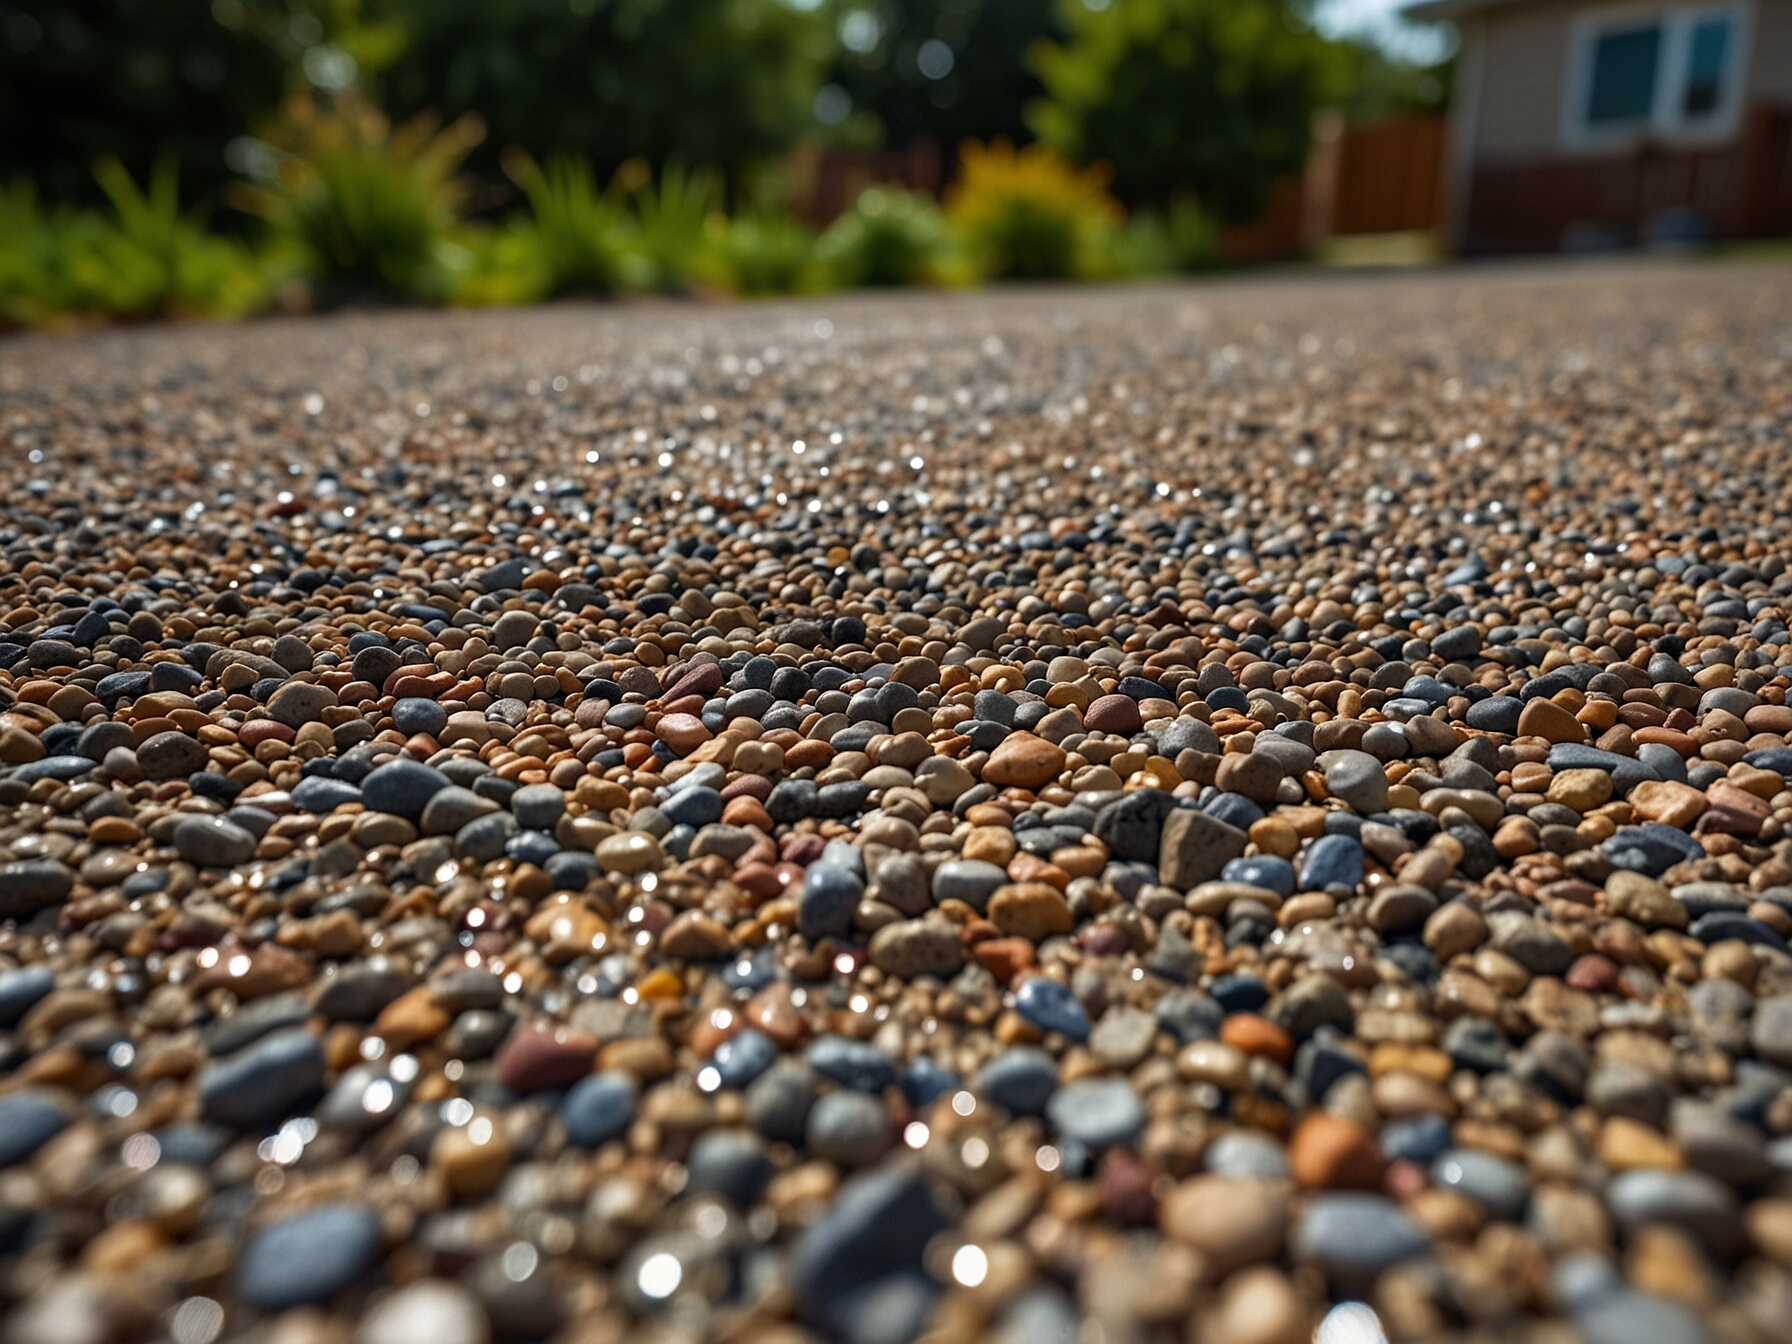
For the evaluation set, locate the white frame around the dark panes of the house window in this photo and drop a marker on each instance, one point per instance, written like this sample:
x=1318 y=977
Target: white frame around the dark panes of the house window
x=1666 y=121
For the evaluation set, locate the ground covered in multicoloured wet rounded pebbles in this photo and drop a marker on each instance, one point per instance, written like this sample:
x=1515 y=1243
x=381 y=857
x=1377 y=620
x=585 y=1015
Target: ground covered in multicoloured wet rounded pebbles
x=1180 y=811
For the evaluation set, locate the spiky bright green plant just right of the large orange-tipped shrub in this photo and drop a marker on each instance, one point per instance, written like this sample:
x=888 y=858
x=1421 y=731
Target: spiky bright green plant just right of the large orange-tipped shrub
x=578 y=232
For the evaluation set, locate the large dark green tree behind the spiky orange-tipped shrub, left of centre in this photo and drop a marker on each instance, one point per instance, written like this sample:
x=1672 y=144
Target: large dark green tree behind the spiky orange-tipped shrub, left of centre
x=718 y=83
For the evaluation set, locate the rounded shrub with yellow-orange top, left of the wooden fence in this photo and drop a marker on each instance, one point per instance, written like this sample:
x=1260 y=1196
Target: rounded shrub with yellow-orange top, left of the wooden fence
x=1030 y=214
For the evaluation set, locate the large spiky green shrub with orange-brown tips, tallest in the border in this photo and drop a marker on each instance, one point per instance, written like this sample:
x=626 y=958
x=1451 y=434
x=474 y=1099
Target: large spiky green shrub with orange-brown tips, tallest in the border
x=370 y=207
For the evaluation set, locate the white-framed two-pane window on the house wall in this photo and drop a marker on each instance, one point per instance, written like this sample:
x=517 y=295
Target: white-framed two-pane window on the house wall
x=1666 y=71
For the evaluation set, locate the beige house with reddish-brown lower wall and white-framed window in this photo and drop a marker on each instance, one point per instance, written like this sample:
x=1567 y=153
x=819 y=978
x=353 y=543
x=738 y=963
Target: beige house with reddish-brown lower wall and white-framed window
x=1617 y=123
